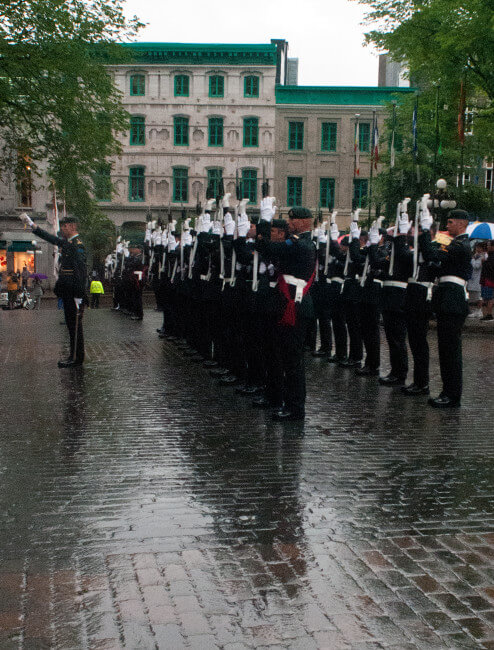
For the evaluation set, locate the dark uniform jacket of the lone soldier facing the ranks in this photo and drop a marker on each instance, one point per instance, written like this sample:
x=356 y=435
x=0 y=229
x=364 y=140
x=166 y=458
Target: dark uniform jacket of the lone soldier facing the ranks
x=71 y=281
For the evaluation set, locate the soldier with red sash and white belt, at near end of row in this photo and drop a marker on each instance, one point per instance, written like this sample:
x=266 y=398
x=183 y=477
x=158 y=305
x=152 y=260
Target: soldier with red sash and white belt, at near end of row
x=295 y=261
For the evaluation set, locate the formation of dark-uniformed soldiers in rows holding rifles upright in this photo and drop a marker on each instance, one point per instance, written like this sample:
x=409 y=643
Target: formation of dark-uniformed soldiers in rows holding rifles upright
x=246 y=299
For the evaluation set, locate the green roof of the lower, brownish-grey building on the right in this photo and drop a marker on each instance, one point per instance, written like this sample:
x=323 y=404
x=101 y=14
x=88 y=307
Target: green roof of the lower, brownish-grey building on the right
x=339 y=95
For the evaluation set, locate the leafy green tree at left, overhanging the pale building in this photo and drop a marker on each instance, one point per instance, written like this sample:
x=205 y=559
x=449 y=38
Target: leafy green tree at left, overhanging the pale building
x=58 y=104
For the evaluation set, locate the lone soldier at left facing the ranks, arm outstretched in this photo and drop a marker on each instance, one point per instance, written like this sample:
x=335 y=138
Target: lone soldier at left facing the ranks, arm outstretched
x=71 y=282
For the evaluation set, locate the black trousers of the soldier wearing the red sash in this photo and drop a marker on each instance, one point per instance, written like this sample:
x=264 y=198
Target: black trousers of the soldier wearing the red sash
x=289 y=353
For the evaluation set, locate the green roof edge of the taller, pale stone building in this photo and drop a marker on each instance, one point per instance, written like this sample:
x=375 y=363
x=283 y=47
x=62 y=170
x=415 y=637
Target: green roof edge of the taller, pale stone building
x=203 y=53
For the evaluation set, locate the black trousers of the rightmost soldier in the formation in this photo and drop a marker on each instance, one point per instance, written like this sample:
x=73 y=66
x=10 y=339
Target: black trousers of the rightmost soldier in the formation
x=449 y=328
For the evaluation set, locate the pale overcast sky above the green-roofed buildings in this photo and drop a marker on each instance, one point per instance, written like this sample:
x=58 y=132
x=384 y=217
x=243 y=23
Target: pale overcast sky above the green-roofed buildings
x=325 y=35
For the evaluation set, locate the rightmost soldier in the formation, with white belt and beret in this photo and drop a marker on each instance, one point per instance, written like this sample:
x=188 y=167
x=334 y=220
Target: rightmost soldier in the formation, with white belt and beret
x=449 y=301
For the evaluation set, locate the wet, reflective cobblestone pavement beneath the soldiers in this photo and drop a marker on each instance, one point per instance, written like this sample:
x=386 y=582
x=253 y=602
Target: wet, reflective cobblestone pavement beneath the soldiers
x=141 y=506
